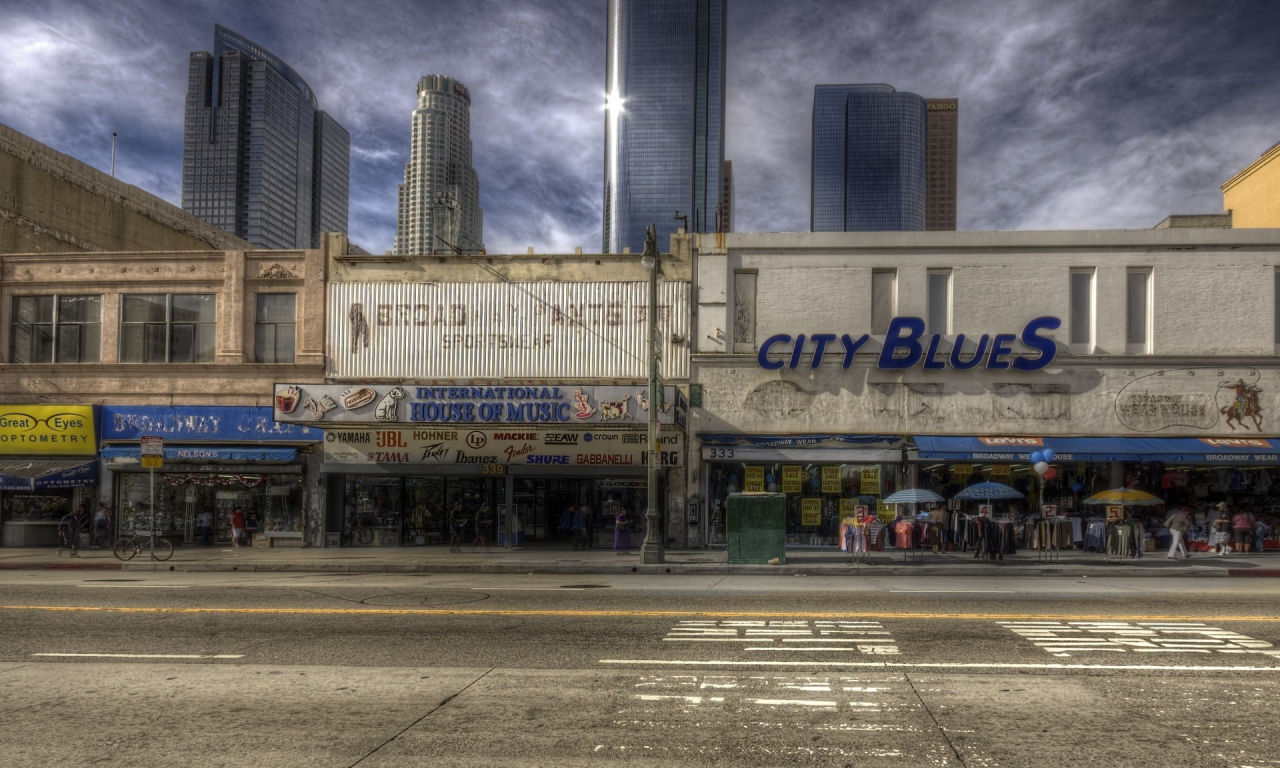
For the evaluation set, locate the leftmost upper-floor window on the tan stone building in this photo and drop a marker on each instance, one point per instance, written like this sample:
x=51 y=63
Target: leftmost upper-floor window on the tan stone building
x=57 y=330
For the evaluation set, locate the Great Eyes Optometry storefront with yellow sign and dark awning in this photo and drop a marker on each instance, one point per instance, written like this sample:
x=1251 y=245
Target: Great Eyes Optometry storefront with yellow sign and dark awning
x=48 y=469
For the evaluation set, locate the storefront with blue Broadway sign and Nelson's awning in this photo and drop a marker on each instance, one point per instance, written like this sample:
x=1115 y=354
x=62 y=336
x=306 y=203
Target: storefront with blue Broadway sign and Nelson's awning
x=216 y=459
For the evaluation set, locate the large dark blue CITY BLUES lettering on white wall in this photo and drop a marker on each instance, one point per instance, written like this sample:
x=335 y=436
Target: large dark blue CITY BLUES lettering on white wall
x=906 y=346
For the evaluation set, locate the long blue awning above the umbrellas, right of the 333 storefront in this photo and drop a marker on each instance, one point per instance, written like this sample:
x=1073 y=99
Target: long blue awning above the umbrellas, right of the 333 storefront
x=1228 y=451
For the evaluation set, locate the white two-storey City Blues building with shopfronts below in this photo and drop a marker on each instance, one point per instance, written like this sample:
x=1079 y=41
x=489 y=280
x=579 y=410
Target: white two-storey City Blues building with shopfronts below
x=861 y=364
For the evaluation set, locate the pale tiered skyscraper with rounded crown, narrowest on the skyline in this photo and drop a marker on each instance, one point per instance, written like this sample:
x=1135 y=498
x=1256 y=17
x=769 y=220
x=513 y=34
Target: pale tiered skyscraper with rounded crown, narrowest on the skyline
x=440 y=202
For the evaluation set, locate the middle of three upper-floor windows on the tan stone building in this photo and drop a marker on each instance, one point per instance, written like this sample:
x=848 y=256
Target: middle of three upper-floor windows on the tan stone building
x=168 y=328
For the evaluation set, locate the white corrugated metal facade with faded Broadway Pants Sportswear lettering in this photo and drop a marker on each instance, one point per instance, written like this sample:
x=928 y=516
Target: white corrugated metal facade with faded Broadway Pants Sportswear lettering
x=502 y=331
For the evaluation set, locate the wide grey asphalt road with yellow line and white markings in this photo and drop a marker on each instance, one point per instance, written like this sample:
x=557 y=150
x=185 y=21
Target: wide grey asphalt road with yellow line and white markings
x=420 y=670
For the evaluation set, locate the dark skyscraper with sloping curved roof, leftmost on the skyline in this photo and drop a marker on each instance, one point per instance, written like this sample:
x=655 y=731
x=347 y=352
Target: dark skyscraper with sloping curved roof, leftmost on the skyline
x=260 y=159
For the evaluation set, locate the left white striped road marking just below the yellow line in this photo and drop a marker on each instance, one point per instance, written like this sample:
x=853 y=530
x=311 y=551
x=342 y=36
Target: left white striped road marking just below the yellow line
x=790 y=637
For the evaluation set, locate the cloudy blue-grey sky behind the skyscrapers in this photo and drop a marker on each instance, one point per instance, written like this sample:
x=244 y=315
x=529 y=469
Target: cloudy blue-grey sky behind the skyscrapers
x=1075 y=115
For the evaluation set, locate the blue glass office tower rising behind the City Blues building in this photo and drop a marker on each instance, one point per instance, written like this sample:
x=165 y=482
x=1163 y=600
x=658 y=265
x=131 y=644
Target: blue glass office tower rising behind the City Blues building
x=868 y=164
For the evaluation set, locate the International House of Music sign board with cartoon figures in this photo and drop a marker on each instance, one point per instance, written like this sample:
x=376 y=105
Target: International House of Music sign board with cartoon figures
x=509 y=404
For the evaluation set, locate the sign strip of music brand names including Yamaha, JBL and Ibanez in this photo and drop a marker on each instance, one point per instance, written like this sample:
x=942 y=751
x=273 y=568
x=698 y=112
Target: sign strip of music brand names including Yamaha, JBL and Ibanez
x=500 y=446
